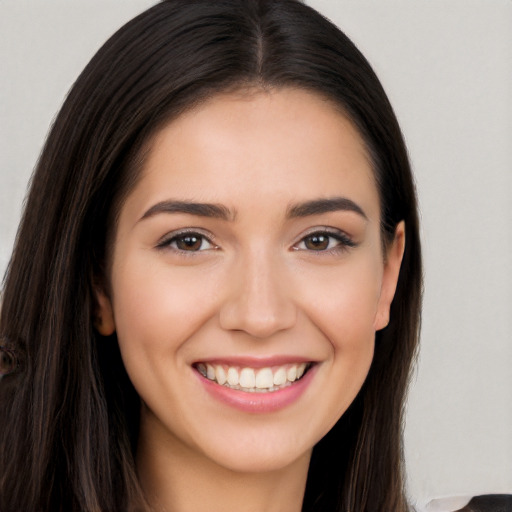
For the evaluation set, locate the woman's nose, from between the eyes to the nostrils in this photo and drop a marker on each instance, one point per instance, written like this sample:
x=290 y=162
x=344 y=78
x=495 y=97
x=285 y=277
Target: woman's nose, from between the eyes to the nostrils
x=258 y=300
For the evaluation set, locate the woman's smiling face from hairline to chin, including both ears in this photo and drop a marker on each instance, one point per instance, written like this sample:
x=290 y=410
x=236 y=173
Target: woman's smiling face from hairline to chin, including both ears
x=247 y=255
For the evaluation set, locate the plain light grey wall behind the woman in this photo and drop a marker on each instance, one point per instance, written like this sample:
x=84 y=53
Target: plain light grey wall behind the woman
x=447 y=67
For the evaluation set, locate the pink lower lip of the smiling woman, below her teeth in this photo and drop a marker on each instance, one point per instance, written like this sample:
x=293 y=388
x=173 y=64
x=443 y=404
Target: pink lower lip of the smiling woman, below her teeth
x=259 y=402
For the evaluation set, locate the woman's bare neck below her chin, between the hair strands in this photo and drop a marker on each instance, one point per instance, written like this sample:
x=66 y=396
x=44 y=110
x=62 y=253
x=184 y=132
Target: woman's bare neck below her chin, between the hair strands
x=175 y=478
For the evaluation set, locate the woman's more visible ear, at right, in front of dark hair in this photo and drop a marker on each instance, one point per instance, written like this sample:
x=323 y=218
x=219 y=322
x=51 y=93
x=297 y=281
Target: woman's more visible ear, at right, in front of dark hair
x=392 y=262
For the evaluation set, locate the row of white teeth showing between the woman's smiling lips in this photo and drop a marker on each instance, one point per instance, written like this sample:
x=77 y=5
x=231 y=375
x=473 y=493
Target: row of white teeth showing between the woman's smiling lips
x=254 y=380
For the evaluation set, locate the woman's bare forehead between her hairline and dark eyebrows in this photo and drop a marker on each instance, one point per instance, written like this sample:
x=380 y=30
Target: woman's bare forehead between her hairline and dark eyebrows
x=258 y=149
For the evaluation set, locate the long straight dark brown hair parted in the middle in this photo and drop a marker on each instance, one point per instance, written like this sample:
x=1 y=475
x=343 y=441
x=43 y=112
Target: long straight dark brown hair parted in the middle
x=69 y=414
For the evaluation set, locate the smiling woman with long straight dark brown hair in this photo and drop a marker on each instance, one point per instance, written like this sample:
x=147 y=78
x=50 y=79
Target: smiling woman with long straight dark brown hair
x=221 y=306
